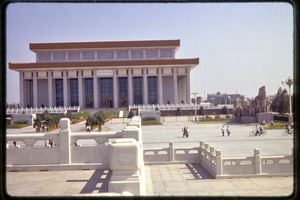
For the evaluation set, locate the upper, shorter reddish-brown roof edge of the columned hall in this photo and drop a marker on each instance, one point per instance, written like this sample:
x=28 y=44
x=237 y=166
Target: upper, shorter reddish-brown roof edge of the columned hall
x=104 y=45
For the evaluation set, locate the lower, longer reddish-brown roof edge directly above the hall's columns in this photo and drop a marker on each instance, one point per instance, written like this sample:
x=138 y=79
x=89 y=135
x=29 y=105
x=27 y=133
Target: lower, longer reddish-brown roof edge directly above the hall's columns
x=193 y=62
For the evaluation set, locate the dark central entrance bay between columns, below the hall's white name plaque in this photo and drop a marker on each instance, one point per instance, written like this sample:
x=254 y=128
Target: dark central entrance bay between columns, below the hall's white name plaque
x=106 y=92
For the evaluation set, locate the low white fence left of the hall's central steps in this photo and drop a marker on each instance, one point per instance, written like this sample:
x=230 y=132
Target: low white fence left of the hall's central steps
x=40 y=110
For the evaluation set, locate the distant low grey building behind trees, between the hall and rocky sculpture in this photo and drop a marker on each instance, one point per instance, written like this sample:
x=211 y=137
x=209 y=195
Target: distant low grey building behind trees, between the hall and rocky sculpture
x=218 y=98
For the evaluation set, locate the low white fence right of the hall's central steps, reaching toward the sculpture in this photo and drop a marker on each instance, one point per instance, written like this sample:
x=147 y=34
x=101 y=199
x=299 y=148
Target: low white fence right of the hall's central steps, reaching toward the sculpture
x=162 y=107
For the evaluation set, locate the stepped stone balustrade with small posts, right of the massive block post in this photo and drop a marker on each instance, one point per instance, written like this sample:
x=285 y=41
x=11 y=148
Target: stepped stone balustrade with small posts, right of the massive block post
x=219 y=167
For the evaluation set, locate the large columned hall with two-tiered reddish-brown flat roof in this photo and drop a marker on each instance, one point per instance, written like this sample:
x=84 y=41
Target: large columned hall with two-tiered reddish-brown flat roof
x=105 y=74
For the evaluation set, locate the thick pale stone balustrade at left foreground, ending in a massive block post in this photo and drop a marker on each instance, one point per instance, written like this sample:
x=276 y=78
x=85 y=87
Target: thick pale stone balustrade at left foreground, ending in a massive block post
x=123 y=156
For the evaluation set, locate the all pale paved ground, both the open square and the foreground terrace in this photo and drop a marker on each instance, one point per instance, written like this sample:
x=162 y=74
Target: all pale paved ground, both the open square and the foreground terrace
x=167 y=180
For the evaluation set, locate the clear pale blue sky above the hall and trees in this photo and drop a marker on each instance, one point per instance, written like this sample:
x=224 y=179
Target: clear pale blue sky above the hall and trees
x=241 y=46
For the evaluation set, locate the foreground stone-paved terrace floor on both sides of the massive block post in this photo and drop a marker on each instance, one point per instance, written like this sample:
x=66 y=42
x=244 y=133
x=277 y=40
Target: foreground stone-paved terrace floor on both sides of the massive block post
x=161 y=180
